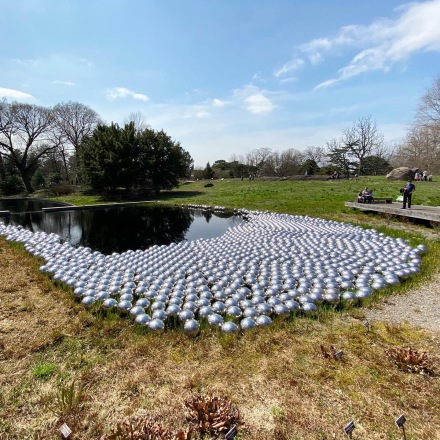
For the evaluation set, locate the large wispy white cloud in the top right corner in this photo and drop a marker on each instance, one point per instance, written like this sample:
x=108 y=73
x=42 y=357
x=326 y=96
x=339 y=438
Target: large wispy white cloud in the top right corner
x=384 y=42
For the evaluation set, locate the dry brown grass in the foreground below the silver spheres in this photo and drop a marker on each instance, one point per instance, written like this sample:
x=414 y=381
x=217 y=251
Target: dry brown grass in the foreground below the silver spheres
x=277 y=377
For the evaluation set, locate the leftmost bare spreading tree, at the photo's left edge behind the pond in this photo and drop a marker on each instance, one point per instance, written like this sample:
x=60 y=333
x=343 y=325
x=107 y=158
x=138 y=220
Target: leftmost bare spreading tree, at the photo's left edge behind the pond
x=25 y=136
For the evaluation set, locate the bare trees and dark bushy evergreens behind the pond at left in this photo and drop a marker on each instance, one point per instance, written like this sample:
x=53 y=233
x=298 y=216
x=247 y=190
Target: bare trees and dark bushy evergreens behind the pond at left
x=69 y=142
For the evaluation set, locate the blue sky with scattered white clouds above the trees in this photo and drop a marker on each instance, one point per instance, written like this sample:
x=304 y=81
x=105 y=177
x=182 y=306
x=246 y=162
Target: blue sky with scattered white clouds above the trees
x=225 y=77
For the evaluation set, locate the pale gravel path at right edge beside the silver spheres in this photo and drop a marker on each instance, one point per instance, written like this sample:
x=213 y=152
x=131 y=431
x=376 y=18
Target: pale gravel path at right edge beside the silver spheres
x=421 y=308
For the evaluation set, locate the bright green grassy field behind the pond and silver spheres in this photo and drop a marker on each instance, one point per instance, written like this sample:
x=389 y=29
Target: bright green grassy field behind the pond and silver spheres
x=302 y=197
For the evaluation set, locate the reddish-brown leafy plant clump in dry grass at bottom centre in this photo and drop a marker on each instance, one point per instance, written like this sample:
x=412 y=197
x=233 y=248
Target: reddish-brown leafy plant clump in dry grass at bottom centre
x=212 y=414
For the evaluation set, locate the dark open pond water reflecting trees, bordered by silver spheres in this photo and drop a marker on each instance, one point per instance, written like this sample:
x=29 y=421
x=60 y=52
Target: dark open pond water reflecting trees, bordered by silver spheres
x=120 y=229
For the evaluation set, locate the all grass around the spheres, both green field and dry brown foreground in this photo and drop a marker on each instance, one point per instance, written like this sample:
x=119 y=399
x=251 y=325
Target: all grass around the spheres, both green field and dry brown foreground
x=107 y=369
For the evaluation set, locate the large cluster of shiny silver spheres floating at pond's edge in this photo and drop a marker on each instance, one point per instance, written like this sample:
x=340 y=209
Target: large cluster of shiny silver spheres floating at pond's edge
x=272 y=264
